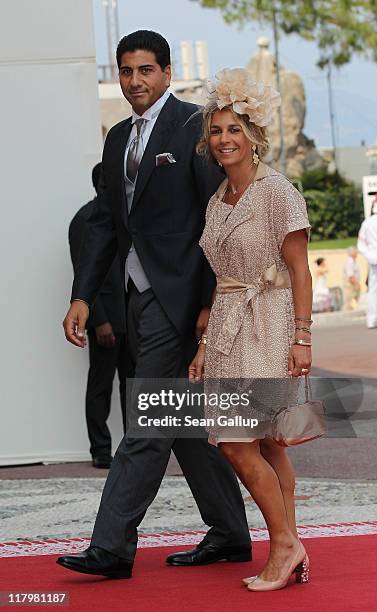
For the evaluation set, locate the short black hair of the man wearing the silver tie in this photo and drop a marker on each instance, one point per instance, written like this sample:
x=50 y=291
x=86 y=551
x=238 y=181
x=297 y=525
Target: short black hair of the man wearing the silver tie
x=145 y=40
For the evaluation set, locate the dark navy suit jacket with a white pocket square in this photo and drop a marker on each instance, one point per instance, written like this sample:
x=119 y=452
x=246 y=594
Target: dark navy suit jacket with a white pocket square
x=166 y=219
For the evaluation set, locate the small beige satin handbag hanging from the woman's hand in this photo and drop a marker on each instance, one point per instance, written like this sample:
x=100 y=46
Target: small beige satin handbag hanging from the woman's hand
x=300 y=423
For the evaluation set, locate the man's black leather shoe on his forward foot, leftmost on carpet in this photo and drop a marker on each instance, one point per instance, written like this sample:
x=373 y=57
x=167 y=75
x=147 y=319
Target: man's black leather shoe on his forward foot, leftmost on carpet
x=97 y=561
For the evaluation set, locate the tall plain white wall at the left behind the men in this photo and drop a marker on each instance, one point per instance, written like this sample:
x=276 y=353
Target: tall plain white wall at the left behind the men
x=50 y=140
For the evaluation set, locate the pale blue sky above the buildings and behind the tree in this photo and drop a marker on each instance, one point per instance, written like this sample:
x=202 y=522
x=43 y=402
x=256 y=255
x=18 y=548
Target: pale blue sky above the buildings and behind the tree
x=354 y=86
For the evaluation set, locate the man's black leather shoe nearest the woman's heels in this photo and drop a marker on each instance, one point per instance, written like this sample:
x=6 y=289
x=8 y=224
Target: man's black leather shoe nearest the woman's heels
x=206 y=553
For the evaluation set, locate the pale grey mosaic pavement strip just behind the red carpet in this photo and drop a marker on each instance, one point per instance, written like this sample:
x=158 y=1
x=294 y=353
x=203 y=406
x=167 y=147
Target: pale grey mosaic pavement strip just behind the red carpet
x=65 y=508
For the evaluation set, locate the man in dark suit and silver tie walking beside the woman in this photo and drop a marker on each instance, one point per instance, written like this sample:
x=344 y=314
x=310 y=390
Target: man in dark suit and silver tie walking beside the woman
x=152 y=199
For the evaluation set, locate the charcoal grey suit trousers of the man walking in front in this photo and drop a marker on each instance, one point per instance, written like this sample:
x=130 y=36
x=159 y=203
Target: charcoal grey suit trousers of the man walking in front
x=156 y=350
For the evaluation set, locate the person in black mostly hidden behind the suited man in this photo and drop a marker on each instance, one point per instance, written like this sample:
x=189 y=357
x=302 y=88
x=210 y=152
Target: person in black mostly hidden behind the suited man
x=106 y=329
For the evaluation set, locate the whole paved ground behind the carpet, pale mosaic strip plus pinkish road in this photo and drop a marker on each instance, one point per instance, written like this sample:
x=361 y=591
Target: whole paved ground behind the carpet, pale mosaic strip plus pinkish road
x=336 y=476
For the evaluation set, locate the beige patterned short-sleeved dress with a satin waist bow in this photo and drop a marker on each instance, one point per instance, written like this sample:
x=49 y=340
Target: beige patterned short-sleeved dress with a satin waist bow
x=250 y=331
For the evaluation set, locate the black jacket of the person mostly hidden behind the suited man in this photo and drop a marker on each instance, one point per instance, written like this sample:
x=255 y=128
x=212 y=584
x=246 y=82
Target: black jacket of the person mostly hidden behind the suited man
x=109 y=305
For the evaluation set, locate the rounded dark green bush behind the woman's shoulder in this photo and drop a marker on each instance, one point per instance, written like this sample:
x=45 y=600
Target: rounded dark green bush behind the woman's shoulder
x=335 y=205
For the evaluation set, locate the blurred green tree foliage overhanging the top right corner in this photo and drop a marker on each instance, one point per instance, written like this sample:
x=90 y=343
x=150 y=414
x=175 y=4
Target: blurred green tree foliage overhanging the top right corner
x=340 y=28
